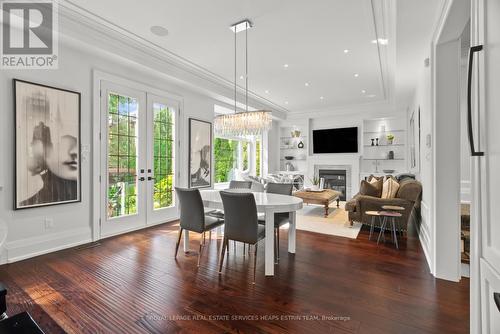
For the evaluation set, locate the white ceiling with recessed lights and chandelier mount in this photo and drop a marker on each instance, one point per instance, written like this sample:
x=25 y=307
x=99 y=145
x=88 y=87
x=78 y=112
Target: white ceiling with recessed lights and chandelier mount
x=309 y=36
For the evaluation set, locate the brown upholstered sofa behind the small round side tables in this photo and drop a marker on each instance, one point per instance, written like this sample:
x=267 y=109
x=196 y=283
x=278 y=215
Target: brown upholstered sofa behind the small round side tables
x=408 y=196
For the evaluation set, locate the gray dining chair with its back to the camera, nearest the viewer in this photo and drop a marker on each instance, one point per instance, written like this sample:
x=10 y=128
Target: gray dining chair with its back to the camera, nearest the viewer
x=241 y=223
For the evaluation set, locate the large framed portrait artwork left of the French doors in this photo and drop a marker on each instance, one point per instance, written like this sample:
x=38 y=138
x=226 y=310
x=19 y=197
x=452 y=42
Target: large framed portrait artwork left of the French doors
x=47 y=145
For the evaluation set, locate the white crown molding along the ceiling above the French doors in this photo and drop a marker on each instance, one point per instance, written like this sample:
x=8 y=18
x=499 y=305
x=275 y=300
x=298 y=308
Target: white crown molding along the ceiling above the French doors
x=85 y=27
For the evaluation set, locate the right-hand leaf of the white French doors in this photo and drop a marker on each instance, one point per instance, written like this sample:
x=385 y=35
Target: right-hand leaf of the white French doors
x=162 y=157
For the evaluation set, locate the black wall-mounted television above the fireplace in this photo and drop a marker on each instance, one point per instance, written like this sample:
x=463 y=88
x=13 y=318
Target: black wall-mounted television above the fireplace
x=340 y=140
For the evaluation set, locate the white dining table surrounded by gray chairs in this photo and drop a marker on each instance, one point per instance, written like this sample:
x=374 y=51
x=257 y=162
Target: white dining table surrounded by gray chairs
x=269 y=204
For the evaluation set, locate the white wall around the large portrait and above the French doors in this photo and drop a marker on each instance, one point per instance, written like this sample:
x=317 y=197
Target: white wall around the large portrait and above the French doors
x=27 y=235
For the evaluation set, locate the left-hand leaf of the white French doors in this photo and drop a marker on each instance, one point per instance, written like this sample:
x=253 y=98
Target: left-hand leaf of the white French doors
x=123 y=167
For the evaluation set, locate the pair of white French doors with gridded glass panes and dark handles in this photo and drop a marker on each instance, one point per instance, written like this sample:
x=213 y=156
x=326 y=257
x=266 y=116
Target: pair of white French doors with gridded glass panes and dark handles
x=138 y=158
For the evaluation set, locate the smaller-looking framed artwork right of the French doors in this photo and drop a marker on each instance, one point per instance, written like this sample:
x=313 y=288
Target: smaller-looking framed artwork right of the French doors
x=200 y=153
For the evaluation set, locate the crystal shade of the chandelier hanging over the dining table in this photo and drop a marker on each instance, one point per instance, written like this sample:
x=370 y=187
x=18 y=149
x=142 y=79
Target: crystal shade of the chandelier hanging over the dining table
x=249 y=123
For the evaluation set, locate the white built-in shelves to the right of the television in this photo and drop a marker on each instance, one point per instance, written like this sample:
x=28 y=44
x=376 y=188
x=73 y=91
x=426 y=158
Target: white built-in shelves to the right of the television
x=375 y=158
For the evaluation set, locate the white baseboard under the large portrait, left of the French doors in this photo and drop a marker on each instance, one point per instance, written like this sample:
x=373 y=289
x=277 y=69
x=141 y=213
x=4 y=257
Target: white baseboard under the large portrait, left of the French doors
x=26 y=248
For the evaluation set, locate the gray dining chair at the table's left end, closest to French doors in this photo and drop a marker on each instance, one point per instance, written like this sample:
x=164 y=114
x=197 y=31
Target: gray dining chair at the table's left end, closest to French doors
x=193 y=217
